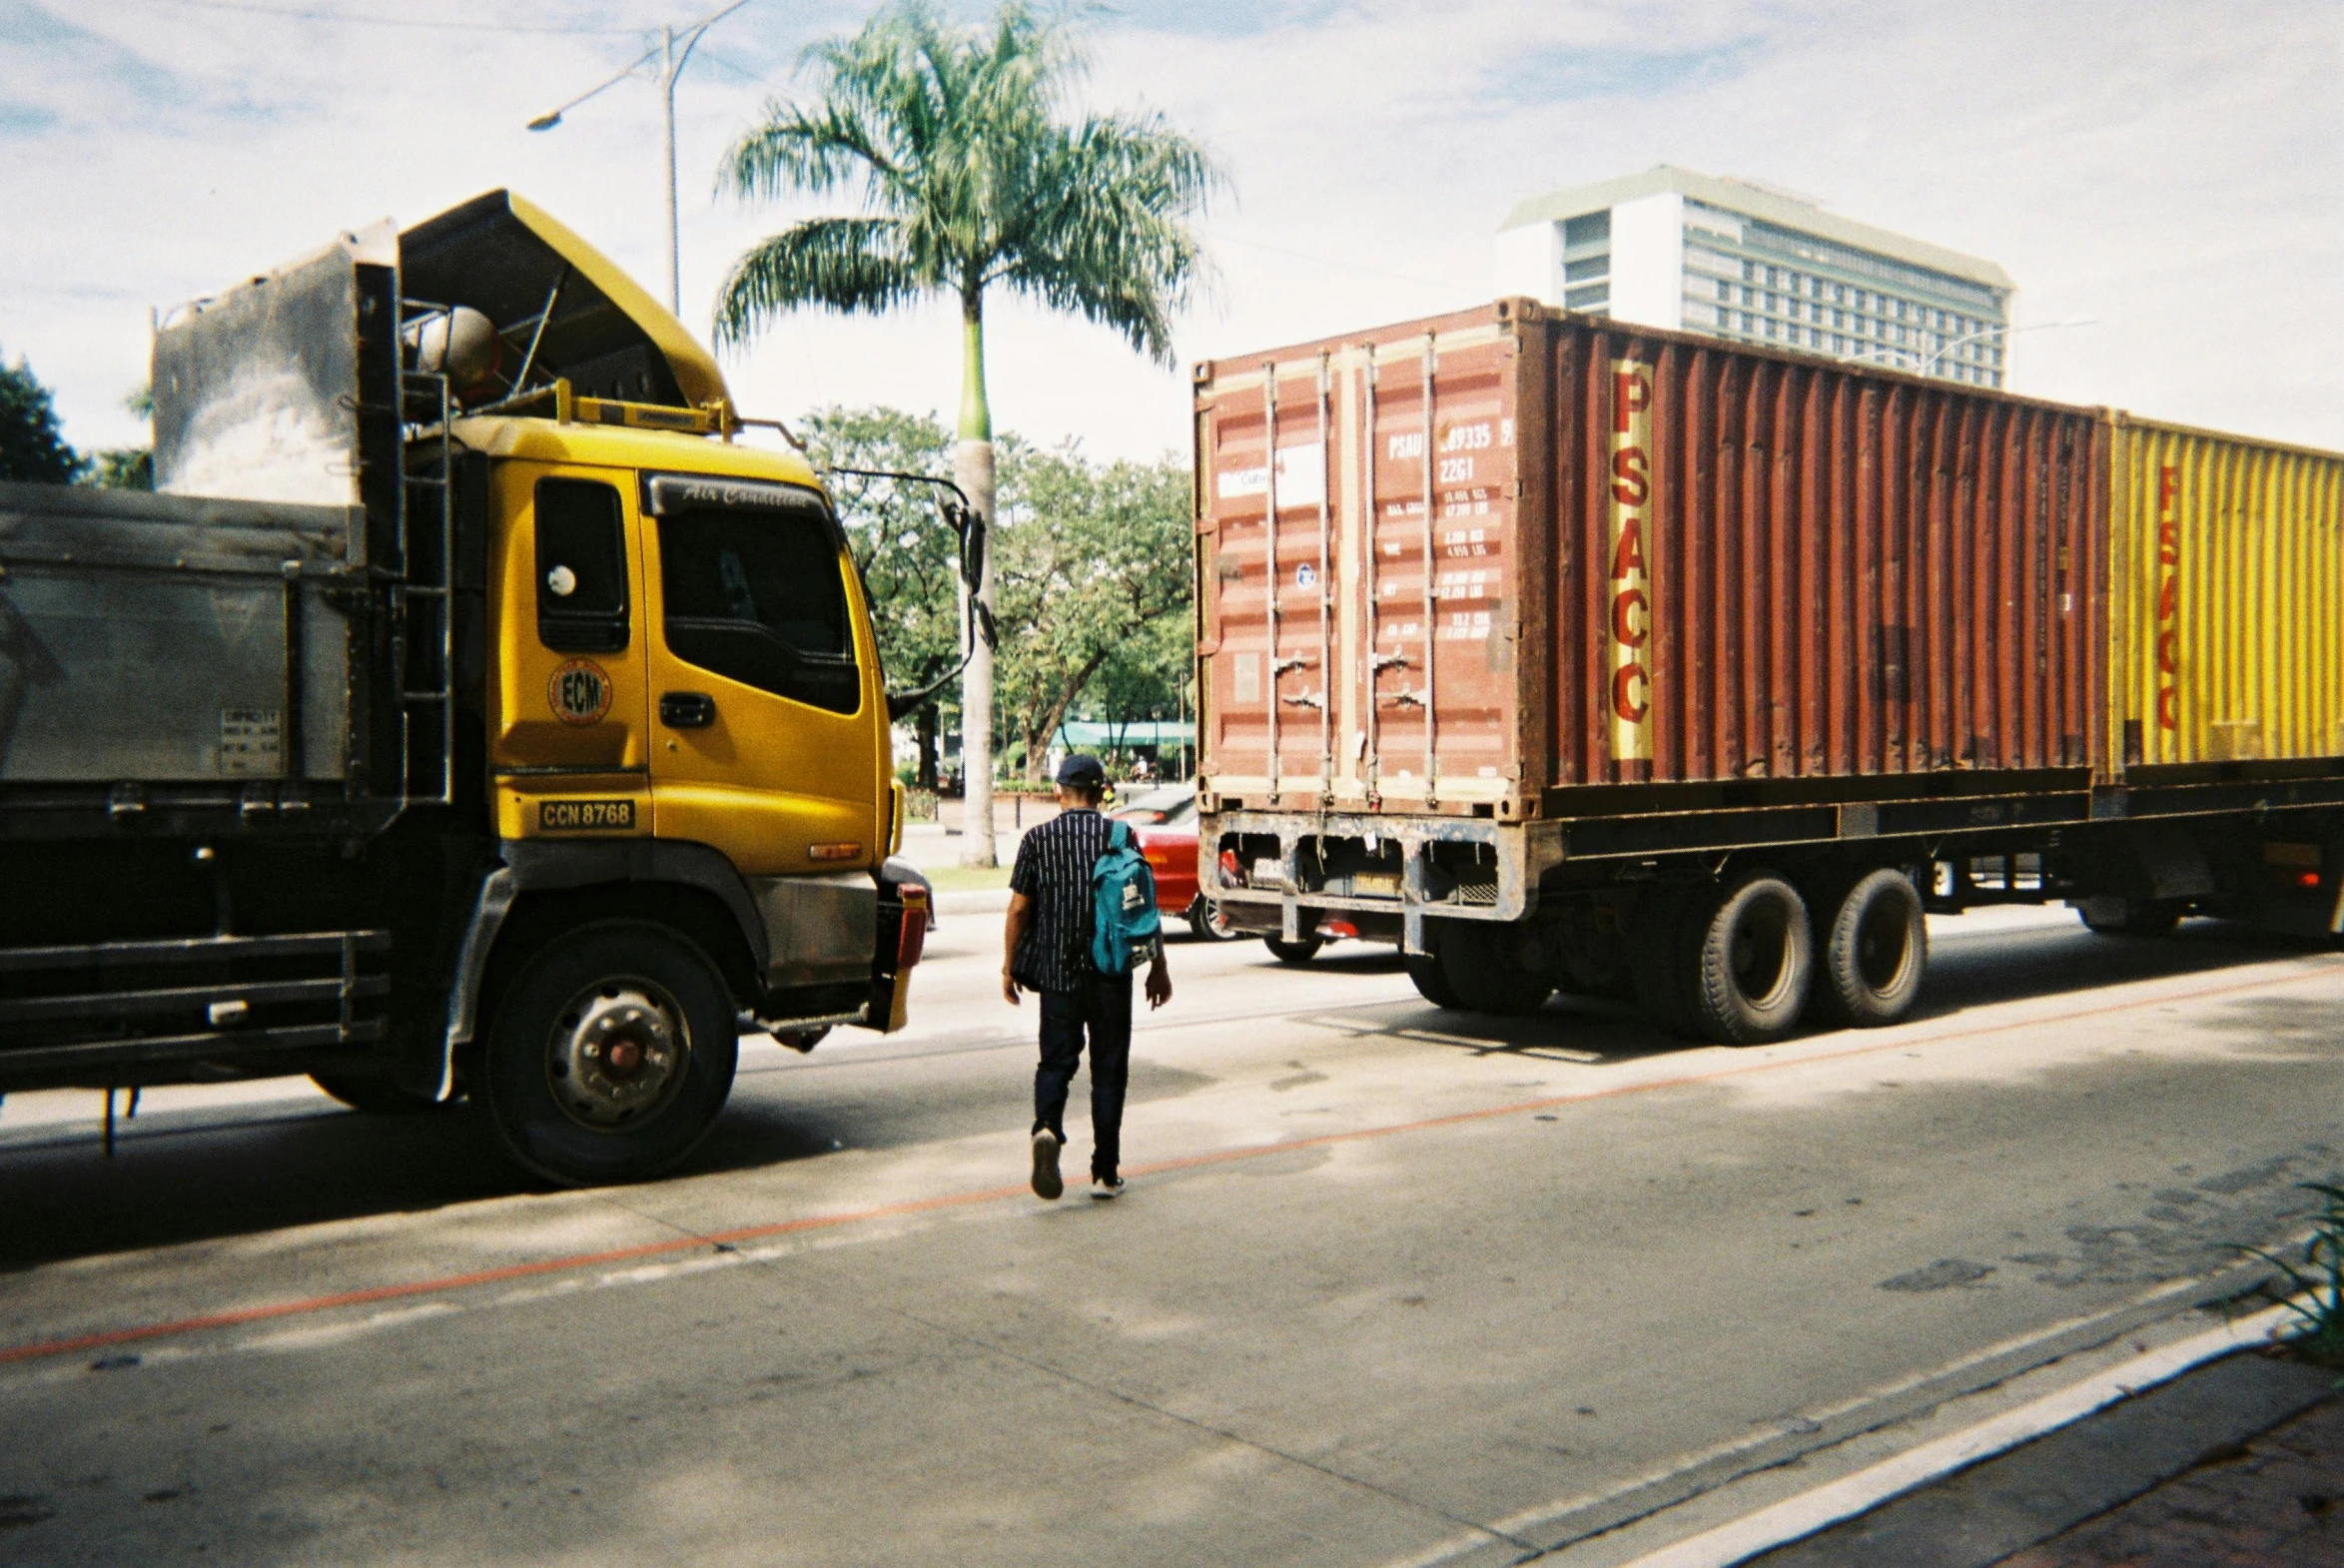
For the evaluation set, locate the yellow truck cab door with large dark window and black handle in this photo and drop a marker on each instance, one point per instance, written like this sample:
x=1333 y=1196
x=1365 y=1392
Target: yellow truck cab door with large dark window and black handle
x=765 y=739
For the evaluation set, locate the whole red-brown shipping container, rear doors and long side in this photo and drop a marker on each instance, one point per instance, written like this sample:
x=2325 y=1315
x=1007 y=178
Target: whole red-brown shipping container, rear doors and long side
x=1518 y=552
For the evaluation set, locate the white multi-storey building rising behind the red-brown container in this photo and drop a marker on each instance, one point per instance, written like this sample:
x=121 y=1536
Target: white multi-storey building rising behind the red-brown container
x=1682 y=250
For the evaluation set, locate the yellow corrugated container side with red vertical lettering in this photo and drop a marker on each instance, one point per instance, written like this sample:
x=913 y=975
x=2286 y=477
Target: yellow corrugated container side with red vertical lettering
x=2228 y=641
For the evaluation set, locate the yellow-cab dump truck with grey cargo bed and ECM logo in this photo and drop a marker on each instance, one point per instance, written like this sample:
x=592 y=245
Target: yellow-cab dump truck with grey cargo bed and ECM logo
x=470 y=714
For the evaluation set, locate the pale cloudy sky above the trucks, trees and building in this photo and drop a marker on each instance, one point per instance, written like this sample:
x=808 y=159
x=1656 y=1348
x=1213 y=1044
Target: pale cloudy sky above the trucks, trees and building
x=2160 y=172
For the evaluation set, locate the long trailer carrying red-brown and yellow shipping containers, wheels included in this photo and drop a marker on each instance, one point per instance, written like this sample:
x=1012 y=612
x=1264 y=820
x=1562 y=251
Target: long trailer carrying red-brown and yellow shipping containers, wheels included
x=1574 y=655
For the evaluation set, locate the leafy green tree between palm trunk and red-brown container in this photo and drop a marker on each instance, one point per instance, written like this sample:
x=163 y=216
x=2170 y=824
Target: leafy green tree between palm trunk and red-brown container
x=1093 y=582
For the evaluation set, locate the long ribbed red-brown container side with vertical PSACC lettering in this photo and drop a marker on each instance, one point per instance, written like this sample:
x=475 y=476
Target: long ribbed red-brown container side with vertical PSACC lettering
x=1785 y=568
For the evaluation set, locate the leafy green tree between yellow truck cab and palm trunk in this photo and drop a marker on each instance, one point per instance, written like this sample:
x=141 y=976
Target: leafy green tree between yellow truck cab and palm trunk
x=908 y=559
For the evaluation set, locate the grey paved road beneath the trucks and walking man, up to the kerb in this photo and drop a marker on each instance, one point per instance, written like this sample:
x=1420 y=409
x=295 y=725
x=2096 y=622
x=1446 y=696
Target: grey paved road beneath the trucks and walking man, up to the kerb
x=1389 y=1286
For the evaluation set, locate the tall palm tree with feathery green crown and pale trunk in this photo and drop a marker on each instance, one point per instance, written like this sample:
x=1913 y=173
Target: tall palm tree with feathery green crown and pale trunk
x=972 y=179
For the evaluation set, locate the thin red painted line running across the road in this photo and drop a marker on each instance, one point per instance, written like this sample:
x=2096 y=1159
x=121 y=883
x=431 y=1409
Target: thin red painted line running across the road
x=997 y=1194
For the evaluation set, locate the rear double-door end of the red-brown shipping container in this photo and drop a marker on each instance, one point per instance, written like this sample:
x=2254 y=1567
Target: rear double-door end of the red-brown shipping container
x=1361 y=594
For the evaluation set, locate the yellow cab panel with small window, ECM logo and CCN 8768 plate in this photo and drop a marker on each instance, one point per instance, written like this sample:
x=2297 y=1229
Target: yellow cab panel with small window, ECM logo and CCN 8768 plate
x=571 y=749
